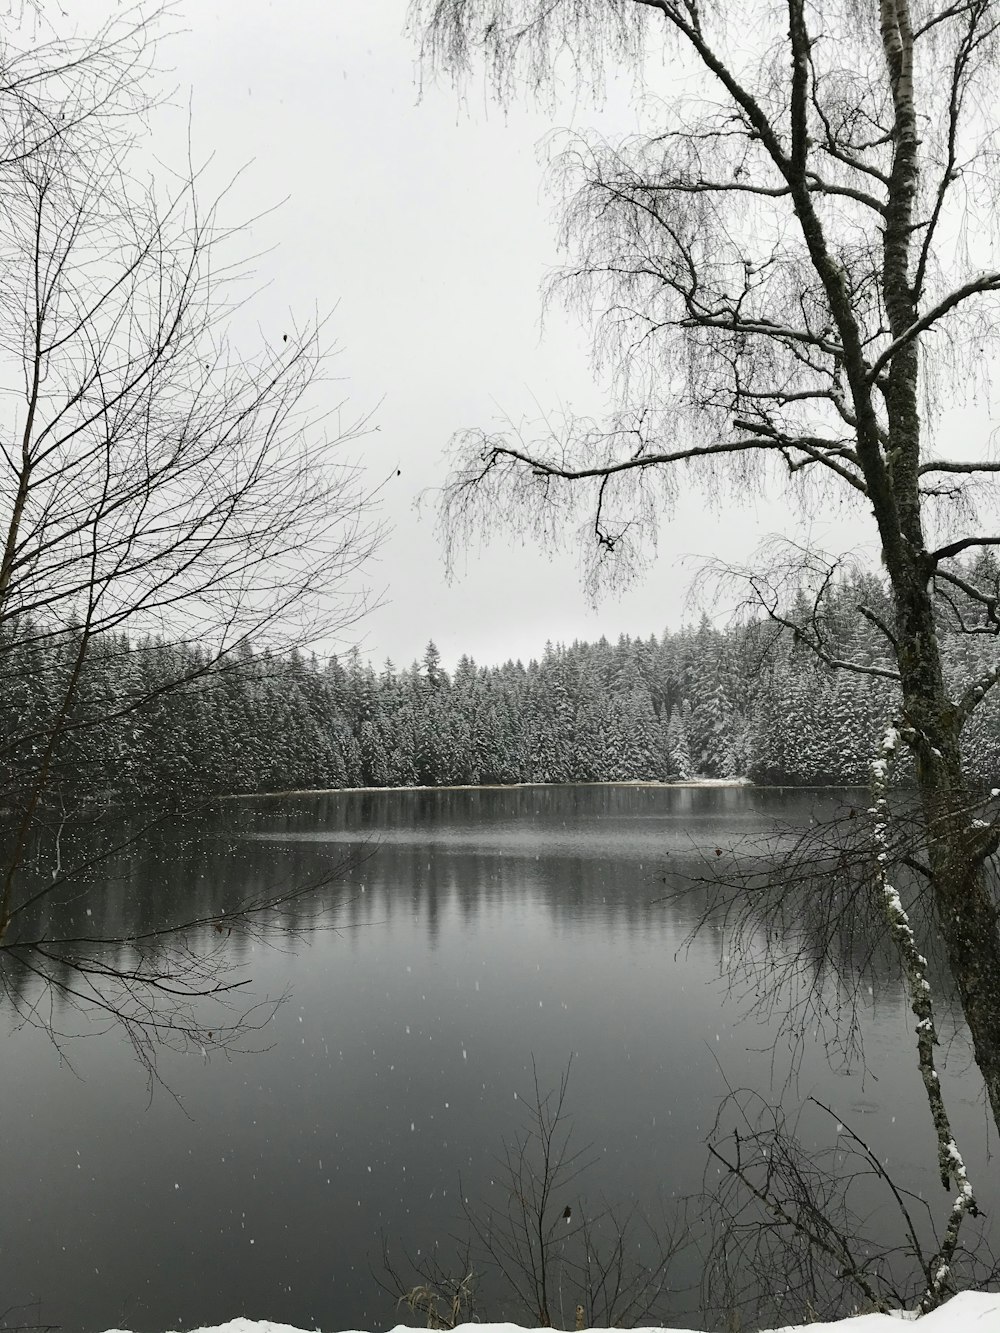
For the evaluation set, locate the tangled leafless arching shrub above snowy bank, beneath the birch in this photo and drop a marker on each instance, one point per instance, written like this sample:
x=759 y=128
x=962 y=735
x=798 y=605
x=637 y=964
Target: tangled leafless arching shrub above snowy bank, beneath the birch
x=794 y=1232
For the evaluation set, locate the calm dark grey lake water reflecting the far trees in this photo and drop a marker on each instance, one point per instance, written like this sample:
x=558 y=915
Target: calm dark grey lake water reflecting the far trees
x=477 y=934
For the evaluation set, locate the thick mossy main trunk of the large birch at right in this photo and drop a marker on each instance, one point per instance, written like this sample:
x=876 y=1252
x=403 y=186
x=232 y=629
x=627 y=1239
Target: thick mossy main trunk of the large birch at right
x=966 y=912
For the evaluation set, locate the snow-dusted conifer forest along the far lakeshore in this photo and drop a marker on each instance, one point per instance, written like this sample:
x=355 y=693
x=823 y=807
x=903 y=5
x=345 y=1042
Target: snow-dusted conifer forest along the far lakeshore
x=695 y=703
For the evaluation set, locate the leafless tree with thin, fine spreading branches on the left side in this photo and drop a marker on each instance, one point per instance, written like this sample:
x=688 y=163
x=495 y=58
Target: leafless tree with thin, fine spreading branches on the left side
x=159 y=482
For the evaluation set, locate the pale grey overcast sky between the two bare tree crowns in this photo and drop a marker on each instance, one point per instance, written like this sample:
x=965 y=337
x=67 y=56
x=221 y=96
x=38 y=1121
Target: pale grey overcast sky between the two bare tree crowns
x=426 y=226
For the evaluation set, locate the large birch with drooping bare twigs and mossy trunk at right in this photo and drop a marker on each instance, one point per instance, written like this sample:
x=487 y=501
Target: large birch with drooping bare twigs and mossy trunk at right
x=790 y=275
